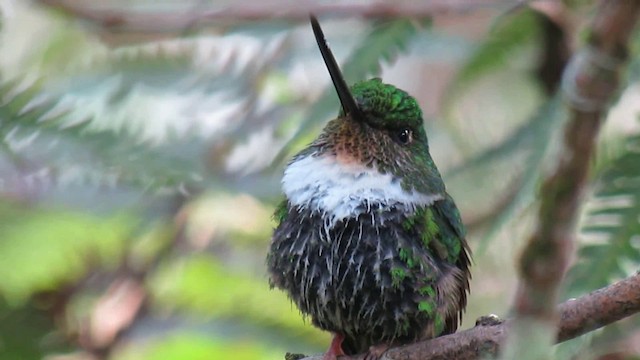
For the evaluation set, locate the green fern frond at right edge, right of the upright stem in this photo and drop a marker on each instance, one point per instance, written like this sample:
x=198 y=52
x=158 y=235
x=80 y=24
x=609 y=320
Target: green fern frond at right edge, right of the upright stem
x=613 y=218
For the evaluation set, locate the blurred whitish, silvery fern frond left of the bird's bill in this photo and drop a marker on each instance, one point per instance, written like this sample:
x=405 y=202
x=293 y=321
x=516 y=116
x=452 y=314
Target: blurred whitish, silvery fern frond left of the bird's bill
x=199 y=86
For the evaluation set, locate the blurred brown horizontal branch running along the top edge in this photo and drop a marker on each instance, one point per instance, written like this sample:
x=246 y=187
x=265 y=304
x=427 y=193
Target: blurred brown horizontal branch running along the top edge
x=172 y=21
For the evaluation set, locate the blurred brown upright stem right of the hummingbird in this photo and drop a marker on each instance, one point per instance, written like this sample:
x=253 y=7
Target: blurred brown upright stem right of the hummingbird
x=547 y=253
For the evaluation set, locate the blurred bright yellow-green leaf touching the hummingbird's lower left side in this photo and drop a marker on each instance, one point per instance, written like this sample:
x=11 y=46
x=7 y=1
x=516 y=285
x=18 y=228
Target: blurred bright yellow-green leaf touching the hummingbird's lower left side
x=201 y=285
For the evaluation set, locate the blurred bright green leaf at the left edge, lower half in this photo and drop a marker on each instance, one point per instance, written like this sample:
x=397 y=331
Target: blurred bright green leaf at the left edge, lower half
x=43 y=249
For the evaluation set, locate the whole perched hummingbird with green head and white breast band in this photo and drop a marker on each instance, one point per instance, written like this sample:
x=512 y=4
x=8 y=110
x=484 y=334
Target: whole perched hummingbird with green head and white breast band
x=368 y=243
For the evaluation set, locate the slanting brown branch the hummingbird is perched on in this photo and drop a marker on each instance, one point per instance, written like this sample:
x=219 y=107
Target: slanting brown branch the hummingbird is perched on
x=577 y=317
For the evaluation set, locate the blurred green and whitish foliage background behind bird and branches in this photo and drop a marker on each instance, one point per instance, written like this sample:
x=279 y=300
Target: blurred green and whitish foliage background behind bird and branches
x=140 y=163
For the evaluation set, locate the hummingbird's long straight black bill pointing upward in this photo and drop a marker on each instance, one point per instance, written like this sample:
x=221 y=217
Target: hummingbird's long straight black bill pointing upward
x=349 y=105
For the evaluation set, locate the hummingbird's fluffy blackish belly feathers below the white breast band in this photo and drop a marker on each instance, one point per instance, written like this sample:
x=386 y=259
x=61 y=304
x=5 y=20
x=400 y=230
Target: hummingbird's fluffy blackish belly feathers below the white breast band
x=355 y=277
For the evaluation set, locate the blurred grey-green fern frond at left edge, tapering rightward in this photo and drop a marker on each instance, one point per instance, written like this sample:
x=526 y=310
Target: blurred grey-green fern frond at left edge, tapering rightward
x=58 y=142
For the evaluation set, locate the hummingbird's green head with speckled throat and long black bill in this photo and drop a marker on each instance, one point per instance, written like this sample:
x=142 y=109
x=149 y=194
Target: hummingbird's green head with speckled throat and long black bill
x=381 y=127
